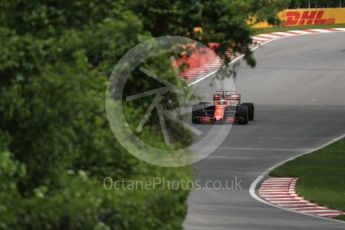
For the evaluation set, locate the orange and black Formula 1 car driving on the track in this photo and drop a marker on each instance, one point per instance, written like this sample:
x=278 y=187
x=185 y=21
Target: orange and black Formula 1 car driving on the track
x=225 y=108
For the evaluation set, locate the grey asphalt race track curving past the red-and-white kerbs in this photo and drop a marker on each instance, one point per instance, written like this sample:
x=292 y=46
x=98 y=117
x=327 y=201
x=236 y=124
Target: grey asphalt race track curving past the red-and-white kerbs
x=298 y=88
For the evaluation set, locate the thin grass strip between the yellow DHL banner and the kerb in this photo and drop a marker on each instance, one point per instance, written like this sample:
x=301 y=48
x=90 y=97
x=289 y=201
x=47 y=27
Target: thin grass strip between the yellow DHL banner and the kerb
x=287 y=28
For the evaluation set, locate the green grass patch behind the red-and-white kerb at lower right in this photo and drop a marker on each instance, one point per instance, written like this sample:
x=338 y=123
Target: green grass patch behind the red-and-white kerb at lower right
x=321 y=175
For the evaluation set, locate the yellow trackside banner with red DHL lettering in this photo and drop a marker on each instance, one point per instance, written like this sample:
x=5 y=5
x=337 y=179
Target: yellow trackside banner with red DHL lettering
x=300 y=17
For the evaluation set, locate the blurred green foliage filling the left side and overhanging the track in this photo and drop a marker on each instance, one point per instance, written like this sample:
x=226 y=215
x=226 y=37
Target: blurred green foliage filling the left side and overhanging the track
x=56 y=146
